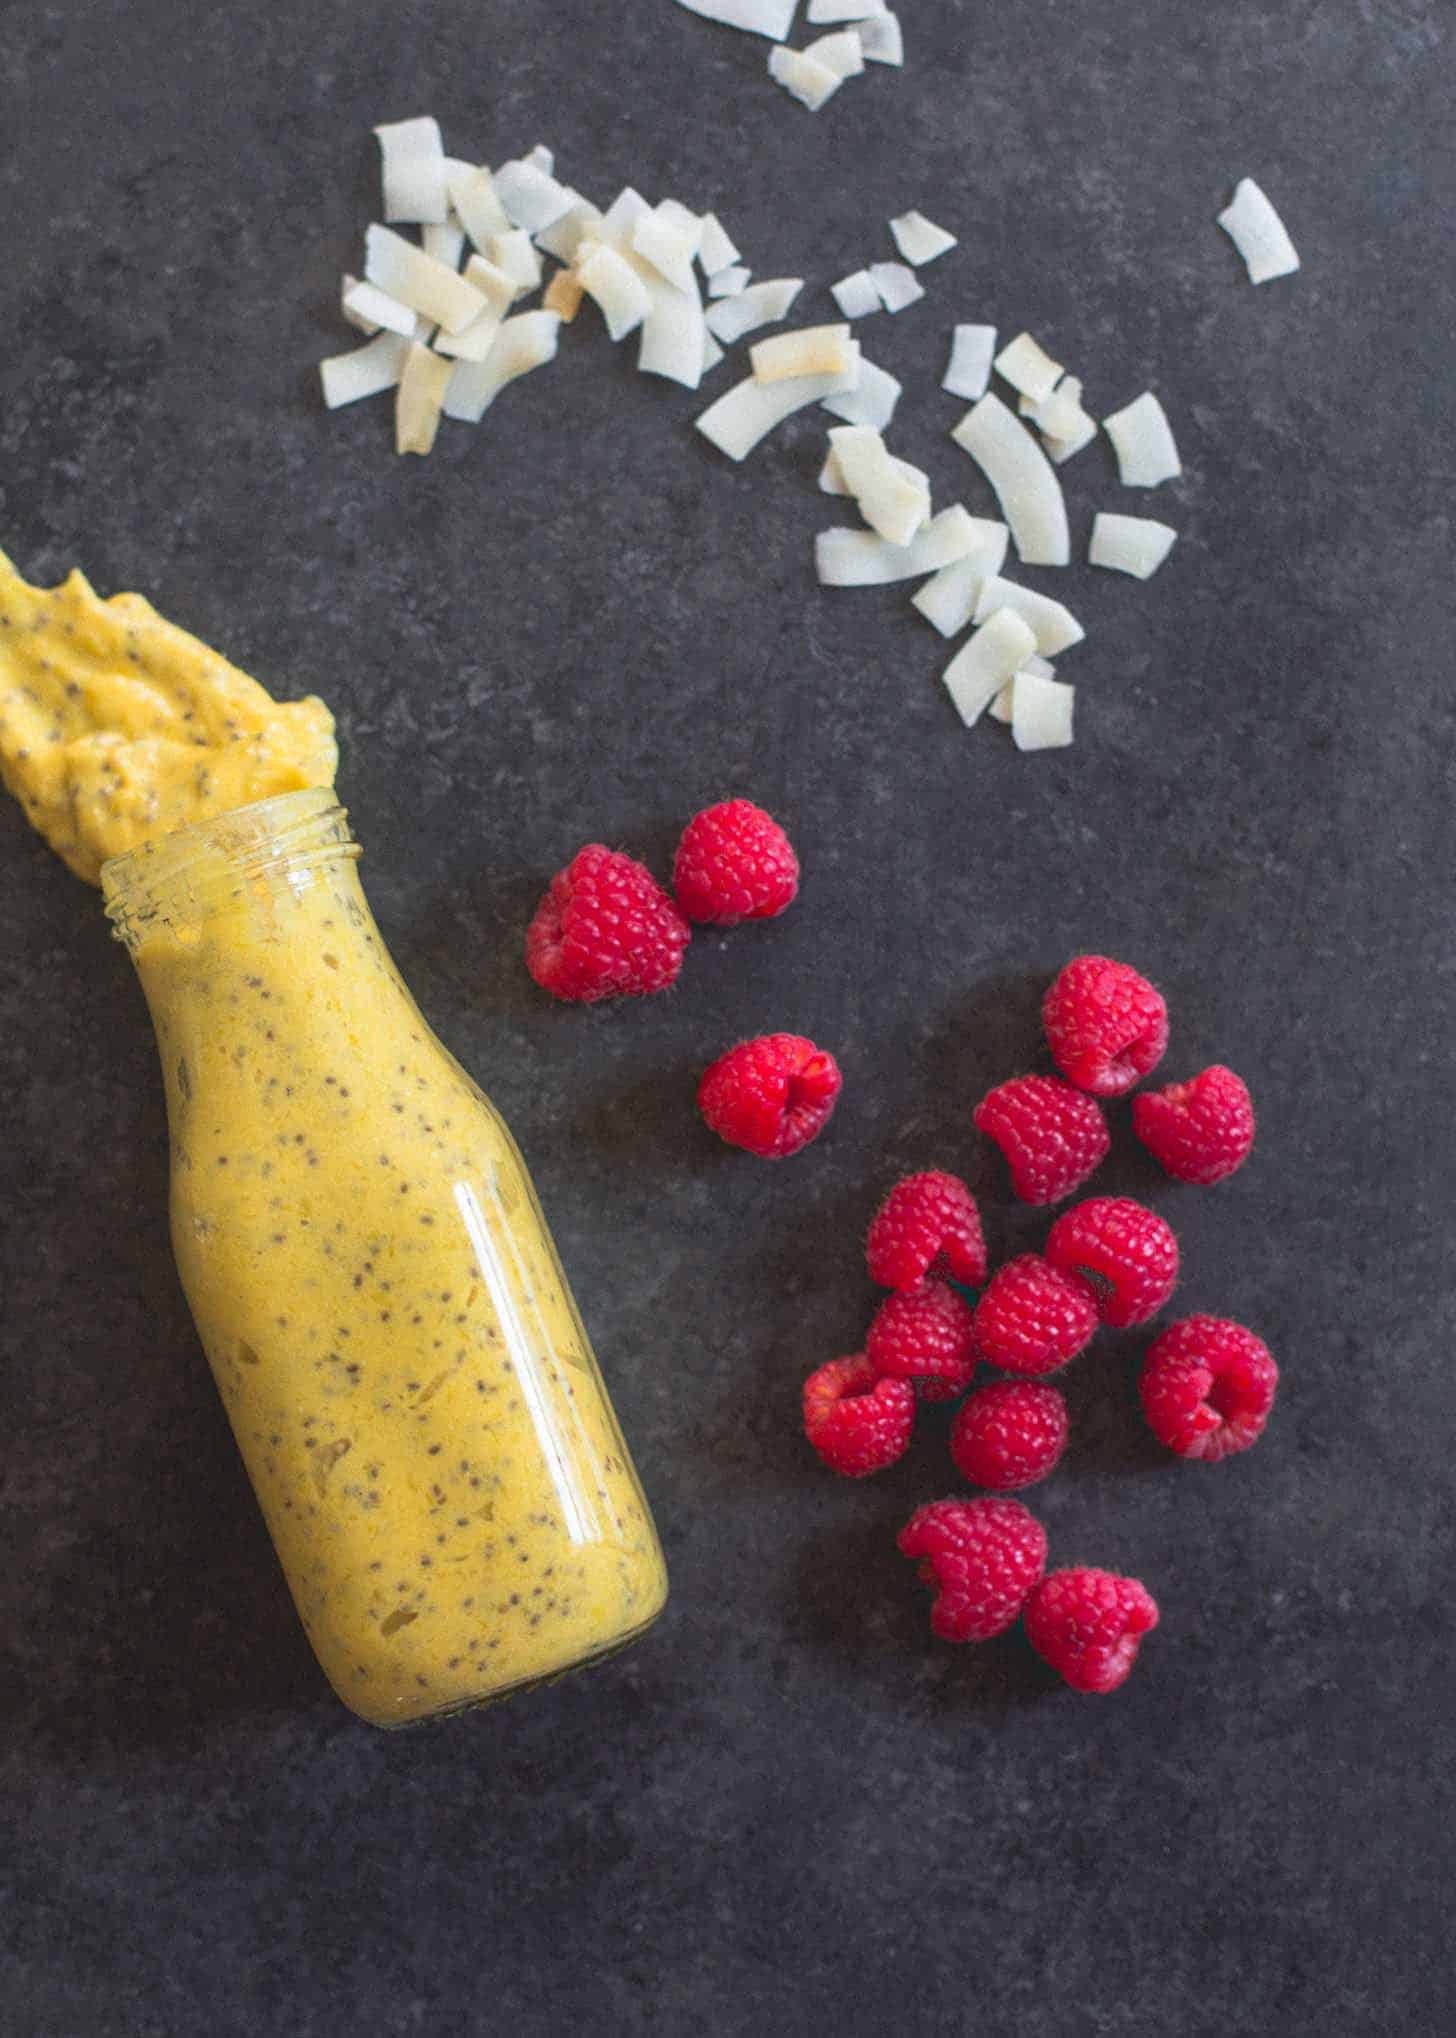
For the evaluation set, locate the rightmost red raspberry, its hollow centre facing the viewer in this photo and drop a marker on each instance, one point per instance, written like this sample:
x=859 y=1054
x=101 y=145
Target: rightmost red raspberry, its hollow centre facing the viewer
x=1208 y=1389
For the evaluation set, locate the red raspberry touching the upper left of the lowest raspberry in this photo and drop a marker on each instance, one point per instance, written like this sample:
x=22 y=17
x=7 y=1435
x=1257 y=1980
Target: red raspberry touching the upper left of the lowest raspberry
x=984 y=1556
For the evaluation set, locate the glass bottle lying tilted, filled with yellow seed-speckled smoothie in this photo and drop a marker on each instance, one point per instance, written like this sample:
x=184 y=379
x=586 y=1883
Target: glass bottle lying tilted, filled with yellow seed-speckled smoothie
x=374 y=1283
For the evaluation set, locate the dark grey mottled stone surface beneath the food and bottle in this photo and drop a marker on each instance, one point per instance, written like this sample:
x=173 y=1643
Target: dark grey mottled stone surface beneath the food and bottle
x=788 y=1811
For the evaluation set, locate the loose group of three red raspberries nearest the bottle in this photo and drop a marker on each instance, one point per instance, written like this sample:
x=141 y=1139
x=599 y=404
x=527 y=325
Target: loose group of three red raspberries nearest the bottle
x=607 y=928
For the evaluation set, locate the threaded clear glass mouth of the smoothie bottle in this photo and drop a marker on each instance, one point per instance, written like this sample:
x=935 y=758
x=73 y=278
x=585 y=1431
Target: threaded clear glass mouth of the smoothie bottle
x=231 y=859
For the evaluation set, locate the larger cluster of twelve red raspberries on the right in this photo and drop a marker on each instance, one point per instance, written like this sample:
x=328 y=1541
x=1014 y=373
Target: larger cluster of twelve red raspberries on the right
x=1206 y=1387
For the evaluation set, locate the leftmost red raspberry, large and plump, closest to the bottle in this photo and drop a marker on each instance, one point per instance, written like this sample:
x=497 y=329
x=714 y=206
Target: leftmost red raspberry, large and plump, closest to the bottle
x=607 y=926
